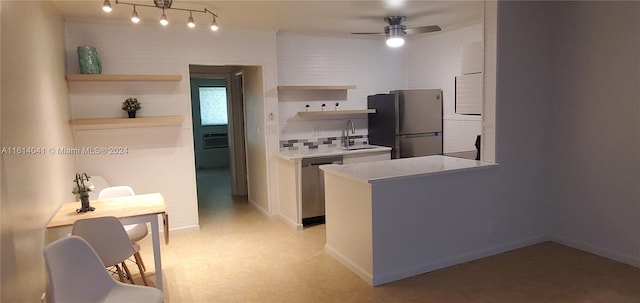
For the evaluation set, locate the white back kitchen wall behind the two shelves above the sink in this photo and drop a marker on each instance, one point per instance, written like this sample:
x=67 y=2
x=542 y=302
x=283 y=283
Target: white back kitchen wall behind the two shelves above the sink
x=314 y=60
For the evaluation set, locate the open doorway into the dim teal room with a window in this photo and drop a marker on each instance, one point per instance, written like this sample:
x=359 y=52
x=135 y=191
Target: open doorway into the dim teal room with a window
x=219 y=137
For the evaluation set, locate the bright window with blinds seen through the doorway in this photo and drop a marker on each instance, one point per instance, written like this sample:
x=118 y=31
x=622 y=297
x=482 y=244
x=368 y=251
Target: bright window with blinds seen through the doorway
x=213 y=106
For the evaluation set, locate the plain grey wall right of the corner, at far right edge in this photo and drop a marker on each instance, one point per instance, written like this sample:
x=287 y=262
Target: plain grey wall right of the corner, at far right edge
x=594 y=127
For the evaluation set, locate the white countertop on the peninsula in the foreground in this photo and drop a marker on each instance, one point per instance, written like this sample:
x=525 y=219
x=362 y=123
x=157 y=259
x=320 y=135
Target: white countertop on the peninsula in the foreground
x=371 y=172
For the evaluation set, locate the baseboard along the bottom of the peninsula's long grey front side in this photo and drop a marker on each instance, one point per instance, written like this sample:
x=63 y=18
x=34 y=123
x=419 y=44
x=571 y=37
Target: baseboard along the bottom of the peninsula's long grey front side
x=454 y=260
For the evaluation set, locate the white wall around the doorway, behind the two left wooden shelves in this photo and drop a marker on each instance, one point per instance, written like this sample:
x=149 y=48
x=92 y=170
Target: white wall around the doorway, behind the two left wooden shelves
x=161 y=159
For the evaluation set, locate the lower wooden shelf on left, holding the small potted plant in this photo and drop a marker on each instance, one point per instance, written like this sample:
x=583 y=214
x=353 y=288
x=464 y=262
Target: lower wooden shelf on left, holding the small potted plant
x=109 y=123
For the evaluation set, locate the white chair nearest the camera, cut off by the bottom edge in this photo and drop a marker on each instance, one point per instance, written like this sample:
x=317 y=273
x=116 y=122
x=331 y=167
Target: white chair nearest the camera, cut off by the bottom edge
x=76 y=274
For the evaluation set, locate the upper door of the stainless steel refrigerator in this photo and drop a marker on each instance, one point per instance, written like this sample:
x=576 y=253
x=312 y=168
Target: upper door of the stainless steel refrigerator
x=419 y=111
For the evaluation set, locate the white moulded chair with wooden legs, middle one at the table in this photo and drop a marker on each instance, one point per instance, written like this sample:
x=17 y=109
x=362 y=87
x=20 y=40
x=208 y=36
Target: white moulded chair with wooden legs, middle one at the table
x=107 y=237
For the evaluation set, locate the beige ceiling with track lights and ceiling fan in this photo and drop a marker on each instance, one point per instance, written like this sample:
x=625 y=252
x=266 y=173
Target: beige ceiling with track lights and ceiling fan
x=300 y=16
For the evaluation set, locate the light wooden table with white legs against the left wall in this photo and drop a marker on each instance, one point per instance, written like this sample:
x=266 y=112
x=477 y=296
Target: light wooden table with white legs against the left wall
x=130 y=210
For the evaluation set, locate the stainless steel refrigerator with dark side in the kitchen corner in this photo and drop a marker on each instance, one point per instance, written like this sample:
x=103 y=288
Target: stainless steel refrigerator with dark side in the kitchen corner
x=408 y=121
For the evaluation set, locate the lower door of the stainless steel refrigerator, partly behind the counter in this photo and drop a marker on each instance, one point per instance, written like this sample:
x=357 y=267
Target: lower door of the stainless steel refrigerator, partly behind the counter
x=419 y=145
